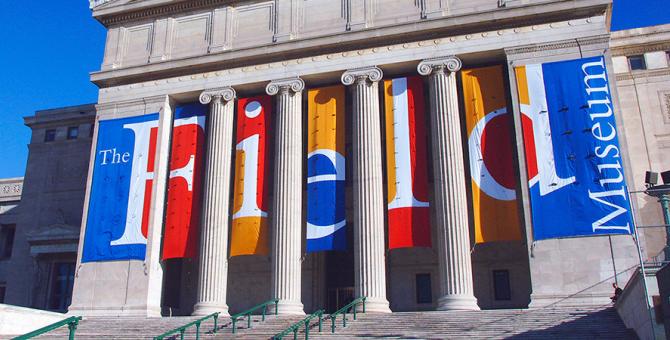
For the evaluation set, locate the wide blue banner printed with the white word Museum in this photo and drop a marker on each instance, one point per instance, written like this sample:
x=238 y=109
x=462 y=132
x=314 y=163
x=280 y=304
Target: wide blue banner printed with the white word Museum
x=576 y=178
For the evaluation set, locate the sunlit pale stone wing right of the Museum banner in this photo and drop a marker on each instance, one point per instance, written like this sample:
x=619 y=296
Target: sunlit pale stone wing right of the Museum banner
x=644 y=97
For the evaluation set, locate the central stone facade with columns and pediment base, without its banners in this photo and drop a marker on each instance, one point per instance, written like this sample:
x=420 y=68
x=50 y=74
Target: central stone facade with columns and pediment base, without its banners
x=161 y=53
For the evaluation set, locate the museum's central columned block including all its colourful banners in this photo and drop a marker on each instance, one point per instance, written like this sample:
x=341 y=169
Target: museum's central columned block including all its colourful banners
x=424 y=154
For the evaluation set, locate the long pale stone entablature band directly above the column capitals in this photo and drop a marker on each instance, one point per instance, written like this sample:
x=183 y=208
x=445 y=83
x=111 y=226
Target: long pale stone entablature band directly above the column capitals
x=581 y=32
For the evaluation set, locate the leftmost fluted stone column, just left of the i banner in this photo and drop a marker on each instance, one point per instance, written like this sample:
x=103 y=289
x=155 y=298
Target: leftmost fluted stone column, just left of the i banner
x=213 y=261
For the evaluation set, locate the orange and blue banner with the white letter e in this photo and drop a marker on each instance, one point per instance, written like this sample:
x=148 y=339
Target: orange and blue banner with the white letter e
x=326 y=219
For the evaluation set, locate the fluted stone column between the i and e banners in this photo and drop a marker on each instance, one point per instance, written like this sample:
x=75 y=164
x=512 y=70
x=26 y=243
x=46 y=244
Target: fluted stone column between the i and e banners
x=287 y=204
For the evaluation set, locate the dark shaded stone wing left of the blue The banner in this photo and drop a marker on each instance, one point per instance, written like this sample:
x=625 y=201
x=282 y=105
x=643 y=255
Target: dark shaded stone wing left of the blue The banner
x=40 y=271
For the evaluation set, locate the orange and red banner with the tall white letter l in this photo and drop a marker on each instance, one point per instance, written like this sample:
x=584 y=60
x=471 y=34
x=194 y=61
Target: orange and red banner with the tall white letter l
x=408 y=207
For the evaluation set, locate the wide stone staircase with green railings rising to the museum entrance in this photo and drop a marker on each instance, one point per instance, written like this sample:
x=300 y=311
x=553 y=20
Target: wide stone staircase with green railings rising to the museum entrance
x=592 y=322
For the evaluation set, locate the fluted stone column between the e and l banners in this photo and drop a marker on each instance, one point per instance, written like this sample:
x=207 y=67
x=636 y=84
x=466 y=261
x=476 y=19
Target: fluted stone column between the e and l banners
x=369 y=254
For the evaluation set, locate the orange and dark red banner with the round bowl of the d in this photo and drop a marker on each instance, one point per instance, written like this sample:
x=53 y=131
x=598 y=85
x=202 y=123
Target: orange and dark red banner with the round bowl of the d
x=490 y=143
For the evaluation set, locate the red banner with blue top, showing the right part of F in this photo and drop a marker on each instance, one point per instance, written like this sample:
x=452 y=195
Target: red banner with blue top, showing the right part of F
x=182 y=222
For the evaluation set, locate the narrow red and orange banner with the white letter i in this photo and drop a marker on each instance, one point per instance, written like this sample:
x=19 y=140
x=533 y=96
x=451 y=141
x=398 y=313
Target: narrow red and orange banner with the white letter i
x=250 y=234
